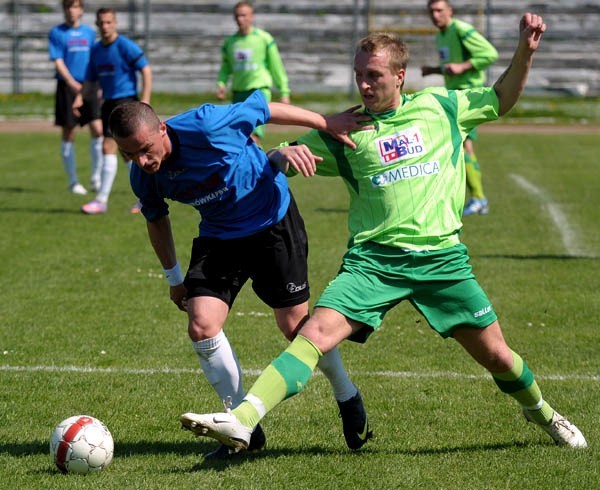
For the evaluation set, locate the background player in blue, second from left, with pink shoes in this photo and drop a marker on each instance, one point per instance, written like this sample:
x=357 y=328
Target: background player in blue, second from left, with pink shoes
x=115 y=61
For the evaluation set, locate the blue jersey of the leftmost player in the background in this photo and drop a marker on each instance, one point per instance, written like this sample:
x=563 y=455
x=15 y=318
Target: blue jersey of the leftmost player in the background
x=72 y=45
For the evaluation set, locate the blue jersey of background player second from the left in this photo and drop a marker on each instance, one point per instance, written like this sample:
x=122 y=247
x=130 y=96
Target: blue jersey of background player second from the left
x=115 y=66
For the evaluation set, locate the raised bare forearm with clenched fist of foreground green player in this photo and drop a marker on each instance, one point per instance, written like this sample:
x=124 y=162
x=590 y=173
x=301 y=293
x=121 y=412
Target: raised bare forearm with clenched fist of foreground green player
x=511 y=83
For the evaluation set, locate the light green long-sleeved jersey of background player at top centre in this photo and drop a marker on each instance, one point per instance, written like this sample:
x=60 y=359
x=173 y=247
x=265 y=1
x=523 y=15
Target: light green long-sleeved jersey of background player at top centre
x=253 y=61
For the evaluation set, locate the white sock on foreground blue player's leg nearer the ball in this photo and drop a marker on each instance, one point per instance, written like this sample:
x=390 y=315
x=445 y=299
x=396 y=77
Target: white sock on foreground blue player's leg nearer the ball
x=221 y=367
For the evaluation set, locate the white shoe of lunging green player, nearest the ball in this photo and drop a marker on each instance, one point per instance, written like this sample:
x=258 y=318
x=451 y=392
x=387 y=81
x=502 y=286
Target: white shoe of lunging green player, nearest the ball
x=223 y=426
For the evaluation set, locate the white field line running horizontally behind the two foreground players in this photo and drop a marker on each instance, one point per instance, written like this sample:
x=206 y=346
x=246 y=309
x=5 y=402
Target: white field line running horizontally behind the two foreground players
x=256 y=372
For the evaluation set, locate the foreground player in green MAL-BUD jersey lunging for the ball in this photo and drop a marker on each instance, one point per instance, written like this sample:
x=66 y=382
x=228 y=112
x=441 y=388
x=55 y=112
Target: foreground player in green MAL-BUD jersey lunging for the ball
x=406 y=182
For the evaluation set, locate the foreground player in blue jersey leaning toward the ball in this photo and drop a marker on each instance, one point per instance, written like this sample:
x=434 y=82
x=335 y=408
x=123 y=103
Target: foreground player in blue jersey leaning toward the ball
x=250 y=229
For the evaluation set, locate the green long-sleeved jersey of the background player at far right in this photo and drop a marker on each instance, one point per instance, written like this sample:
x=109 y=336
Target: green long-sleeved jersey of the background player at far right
x=461 y=42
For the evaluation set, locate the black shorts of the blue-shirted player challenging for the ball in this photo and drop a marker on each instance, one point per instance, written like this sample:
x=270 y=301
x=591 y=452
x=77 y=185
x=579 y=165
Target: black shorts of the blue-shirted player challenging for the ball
x=275 y=259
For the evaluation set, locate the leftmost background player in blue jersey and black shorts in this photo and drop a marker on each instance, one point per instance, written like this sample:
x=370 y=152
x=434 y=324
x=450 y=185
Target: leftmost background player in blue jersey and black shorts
x=69 y=47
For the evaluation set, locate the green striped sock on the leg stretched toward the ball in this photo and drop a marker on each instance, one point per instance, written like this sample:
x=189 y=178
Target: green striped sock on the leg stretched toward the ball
x=286 y=376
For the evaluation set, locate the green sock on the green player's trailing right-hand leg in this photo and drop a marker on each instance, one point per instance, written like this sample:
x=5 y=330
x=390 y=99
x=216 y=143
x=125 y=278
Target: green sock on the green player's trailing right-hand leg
x=520 y=384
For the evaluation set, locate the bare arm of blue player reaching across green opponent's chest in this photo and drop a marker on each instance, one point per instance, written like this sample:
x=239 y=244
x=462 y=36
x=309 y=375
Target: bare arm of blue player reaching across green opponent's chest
x=338 y=125
